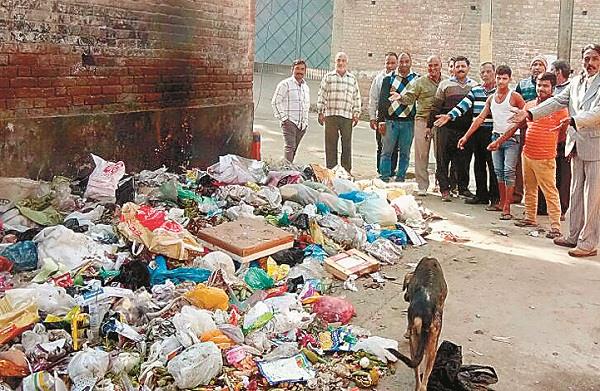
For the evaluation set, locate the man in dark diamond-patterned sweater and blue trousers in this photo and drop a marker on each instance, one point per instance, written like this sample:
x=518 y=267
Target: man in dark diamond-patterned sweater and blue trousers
x=399 y=119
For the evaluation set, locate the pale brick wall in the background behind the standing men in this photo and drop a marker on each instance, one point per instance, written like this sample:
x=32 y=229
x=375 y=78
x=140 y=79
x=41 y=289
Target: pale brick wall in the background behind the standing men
x=520 y=30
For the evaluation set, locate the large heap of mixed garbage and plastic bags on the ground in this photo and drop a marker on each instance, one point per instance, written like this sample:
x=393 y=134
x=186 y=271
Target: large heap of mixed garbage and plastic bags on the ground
x=213 y=280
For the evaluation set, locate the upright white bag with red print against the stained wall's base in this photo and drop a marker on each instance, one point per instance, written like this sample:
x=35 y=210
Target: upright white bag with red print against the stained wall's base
x=104 y=180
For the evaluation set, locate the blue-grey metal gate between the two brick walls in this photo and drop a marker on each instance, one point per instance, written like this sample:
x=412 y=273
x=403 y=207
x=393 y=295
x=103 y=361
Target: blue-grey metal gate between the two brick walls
x=290 y=29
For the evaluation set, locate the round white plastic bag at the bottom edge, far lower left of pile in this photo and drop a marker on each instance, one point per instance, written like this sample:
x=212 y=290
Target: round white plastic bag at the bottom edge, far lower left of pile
x=87 y=367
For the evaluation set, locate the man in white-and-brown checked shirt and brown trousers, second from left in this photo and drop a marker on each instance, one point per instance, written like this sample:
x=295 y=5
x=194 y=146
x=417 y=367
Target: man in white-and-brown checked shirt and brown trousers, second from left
x=338 y=105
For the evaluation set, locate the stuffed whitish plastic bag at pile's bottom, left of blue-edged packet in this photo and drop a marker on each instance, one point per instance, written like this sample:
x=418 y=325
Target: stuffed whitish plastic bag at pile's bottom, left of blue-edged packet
x=197 y=365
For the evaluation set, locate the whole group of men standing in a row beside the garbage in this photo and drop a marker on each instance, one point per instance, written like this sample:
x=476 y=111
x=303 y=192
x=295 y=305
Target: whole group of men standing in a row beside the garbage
x=523 y=141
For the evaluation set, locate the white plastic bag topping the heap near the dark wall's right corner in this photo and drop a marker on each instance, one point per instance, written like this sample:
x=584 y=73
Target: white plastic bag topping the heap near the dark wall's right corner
x=236 y=170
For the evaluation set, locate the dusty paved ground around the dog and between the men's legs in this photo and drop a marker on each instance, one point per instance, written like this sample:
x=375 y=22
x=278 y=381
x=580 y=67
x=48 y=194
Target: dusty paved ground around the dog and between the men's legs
x=514 y=286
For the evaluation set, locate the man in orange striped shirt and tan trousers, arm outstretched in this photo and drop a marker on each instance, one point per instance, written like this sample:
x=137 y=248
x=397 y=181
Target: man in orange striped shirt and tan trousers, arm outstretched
x=539 y=153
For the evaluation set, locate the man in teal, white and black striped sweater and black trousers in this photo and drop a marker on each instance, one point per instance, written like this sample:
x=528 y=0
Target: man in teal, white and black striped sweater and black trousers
x=477 y=145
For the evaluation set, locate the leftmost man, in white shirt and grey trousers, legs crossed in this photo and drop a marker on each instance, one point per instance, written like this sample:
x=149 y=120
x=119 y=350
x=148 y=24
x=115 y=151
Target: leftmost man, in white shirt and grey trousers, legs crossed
x=291 y=102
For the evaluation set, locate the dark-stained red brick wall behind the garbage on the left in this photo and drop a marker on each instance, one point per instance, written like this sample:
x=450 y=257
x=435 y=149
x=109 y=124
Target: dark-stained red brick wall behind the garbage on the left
x=99 y=61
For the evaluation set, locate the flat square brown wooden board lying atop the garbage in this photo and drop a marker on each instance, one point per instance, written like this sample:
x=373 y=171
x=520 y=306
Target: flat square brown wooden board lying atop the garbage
x=246 y=239
